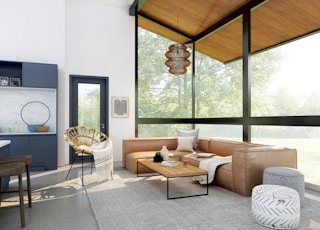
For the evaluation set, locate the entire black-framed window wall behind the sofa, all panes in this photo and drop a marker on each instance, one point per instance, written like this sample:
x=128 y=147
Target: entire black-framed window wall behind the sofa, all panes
x=283 y=82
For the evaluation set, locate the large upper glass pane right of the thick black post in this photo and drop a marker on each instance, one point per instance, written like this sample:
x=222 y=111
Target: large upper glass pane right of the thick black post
x=285 y=80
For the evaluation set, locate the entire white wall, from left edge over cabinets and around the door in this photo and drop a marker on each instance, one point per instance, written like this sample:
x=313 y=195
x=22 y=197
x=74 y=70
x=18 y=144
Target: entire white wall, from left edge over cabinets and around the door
x=85 y=37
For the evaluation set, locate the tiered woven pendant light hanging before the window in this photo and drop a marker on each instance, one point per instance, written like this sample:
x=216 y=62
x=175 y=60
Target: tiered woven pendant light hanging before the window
x=177 y=59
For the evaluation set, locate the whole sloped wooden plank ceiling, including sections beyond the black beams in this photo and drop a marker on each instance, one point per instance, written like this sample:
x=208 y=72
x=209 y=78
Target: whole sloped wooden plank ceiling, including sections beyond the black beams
x=216 y=25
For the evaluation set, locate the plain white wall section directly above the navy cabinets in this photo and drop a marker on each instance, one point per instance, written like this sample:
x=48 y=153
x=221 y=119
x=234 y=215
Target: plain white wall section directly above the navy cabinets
x=33 y=30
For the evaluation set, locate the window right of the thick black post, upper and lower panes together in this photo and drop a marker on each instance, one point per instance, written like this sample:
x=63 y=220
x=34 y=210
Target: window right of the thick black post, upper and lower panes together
x=290 y=88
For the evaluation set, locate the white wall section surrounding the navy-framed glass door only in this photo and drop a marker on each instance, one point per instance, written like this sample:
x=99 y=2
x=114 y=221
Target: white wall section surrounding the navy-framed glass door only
x=100 y=42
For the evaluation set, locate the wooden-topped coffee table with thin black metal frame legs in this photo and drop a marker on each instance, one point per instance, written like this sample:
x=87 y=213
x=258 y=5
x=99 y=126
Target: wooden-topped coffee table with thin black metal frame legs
x=173 y=172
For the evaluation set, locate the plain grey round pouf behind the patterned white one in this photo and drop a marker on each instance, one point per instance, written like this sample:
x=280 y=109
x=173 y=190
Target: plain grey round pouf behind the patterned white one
x=285 y=176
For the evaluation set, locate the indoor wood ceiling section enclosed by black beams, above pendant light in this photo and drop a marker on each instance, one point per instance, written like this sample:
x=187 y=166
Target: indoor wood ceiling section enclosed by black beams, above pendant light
x=189 y=17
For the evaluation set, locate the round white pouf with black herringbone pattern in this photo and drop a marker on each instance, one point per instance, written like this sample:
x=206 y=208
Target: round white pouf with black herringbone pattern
x=275 y=206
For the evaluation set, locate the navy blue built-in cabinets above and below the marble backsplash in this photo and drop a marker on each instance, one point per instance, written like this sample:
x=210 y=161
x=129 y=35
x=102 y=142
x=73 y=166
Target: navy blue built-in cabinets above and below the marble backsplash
x=41 y=145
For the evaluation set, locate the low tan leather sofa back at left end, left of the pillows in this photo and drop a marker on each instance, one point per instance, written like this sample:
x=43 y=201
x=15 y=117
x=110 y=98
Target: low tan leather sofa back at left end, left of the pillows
x=146 y=144
